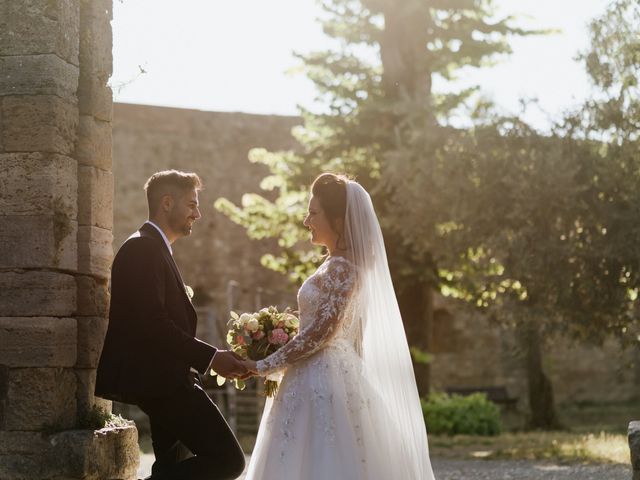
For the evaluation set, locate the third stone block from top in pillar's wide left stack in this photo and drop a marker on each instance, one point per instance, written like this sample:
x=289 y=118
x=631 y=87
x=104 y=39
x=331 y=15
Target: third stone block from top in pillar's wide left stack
x=40 y=123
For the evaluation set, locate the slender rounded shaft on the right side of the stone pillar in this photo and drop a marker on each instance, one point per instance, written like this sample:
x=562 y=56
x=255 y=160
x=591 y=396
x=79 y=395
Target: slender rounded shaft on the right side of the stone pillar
x=95 y=192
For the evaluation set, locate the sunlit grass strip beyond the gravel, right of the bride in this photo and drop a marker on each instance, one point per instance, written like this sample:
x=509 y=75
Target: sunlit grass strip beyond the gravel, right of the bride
x=594 y=434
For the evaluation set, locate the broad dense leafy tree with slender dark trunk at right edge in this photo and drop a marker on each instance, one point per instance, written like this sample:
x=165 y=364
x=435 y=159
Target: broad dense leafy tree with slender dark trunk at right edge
x=540 y=230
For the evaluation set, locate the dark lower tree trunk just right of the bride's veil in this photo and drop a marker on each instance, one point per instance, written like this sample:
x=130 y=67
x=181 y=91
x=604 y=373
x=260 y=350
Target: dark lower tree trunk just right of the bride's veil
x=416 y=307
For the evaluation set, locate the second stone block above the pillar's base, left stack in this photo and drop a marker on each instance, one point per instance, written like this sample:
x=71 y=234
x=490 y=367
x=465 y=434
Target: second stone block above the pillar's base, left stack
x=38 y=341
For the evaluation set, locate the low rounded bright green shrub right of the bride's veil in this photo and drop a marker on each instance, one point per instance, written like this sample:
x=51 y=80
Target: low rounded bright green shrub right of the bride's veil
x=458 y=415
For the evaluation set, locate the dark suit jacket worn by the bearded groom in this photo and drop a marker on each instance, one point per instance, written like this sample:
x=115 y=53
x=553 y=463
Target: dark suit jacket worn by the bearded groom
x=150 y=344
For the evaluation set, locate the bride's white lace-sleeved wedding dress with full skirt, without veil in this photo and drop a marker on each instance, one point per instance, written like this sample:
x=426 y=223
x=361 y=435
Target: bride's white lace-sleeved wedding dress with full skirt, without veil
x=320 y=424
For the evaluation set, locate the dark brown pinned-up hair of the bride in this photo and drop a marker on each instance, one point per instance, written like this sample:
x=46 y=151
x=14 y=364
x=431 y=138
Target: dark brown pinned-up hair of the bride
x=331 y=191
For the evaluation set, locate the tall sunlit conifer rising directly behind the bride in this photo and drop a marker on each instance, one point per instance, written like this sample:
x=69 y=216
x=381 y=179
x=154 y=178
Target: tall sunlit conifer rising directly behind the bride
x=371 y=86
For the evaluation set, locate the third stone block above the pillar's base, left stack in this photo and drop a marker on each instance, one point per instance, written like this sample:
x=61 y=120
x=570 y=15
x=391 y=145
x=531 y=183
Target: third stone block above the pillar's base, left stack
x=31 y=293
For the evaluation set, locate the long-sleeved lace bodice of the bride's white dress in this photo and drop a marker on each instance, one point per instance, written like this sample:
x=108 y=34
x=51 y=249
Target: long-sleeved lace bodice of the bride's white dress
x=323 y=303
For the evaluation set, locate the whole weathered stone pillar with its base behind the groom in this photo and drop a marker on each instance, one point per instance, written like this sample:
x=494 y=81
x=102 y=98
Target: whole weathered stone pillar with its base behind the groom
x=56 y=192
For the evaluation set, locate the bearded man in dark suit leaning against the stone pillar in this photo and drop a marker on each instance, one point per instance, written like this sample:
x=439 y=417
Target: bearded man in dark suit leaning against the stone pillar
x=150 y=348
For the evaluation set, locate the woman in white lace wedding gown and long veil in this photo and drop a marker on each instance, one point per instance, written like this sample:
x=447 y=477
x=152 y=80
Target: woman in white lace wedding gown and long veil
x=347 y=407
